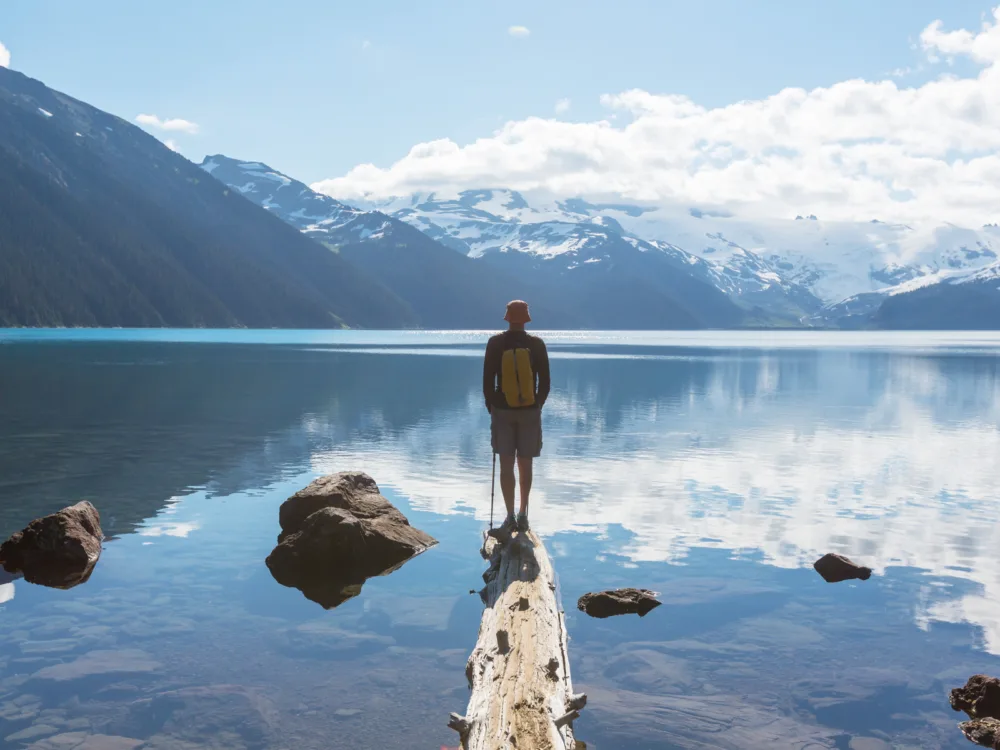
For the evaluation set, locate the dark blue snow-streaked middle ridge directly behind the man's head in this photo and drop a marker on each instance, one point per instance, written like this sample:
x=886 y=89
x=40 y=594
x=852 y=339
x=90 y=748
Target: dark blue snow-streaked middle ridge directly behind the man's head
x=564 y=265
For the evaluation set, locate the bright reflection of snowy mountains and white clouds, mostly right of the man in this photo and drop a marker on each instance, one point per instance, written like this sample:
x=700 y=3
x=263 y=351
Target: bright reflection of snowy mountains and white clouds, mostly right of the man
x=890 y=459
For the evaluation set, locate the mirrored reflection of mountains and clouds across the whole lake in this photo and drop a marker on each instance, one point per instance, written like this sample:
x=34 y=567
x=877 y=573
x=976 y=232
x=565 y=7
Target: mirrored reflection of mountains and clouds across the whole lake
x=780 y=454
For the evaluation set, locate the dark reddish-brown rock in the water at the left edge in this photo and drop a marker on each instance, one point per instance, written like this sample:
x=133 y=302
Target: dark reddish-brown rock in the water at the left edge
x=59 y=550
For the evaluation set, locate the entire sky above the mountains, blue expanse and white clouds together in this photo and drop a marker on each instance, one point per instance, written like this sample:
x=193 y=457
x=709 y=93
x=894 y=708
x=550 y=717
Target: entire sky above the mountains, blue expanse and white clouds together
x=771 y=109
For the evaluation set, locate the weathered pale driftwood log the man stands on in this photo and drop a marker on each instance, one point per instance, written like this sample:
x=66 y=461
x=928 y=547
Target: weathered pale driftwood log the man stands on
x=519 y=674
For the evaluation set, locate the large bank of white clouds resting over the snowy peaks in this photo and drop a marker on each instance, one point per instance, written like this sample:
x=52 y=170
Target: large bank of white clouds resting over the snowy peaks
x=854 y=150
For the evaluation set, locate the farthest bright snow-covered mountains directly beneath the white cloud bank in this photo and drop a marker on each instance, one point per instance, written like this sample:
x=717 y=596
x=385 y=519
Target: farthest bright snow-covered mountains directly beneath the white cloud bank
x=782 y=266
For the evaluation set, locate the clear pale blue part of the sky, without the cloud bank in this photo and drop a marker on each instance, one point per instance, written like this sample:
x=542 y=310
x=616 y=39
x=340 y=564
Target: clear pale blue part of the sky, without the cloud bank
x=315 y=88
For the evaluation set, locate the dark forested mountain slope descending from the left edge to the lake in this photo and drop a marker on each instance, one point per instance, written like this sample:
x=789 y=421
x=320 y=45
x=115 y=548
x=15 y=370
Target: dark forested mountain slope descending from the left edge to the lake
x=106 y=226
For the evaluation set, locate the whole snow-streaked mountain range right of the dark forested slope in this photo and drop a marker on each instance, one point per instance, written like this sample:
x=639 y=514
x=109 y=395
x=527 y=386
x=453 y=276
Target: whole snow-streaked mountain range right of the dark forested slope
x=653 y=266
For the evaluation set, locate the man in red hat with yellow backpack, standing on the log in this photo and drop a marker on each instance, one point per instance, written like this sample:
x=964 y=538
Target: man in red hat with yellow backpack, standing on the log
x=515 y=386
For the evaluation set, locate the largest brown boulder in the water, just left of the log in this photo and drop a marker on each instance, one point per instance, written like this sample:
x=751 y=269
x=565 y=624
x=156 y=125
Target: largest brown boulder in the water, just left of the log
x=338 y=532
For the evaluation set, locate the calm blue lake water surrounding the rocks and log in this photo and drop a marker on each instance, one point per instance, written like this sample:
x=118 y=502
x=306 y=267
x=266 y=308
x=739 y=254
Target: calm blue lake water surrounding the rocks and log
x=713 y=468
